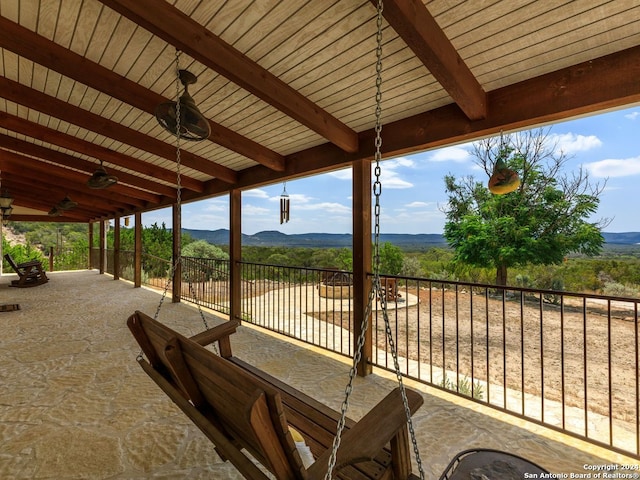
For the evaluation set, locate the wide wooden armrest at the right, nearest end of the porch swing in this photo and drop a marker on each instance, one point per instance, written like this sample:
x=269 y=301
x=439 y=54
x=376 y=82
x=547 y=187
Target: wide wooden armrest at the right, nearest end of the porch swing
x=386 y=422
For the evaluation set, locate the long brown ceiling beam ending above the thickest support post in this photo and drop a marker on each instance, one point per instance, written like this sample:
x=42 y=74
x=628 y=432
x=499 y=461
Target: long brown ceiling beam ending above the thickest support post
x=169 y=23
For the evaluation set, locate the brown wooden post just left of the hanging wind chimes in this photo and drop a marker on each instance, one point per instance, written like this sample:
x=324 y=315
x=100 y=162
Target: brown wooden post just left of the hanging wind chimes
x=235 y=253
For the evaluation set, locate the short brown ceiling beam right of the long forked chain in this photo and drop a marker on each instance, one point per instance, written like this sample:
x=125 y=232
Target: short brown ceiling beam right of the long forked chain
x=417 y=27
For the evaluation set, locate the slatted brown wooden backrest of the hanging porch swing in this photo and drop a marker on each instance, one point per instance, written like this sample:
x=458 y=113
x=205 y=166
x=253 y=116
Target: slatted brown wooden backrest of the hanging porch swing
x=238 y=405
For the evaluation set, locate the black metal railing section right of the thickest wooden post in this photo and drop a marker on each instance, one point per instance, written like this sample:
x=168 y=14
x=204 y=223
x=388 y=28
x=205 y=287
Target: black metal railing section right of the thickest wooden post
x=568 y=361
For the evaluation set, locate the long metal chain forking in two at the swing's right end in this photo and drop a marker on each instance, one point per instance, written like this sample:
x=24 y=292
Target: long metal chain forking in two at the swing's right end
x=376 y=287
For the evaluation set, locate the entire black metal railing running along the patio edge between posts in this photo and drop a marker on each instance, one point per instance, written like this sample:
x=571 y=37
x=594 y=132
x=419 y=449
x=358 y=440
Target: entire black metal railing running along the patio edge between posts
x=568 y=361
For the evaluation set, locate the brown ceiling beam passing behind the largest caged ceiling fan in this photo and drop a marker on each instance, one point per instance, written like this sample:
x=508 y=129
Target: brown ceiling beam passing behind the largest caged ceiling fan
x=28 y=44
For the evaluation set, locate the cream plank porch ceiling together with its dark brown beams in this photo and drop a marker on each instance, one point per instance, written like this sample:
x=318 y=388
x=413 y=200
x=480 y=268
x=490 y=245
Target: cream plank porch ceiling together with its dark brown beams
x=287 y=86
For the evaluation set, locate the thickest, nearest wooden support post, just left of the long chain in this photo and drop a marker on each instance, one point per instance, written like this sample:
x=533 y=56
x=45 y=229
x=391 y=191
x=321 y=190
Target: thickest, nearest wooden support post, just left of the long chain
x=361 y=213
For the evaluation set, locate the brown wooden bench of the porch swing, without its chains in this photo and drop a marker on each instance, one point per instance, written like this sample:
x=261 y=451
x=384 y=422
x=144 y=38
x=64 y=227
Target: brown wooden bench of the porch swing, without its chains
x=243 y=409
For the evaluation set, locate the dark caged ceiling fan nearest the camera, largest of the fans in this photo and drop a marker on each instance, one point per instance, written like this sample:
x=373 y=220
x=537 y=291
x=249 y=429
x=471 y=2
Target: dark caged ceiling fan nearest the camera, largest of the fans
x=193 y=125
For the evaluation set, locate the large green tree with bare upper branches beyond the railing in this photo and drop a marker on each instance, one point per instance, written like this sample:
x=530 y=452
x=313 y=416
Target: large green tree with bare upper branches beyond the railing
x=540 y=222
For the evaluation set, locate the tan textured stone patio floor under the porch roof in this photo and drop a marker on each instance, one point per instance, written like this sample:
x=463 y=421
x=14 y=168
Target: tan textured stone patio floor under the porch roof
x=74 y=404
